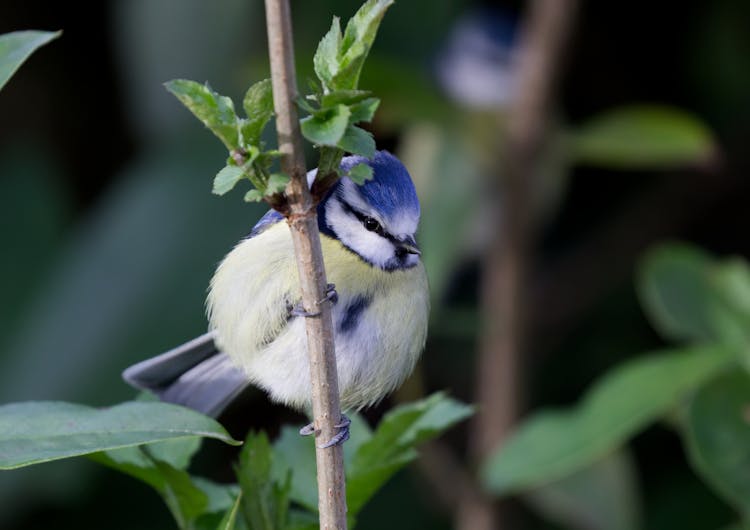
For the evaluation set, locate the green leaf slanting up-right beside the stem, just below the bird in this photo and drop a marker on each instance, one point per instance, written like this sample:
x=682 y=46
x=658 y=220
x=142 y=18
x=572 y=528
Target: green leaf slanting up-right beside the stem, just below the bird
x=393 y=443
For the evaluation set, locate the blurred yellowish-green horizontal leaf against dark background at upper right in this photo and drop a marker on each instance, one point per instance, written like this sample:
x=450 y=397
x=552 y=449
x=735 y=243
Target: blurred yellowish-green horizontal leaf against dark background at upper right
x=643 y=137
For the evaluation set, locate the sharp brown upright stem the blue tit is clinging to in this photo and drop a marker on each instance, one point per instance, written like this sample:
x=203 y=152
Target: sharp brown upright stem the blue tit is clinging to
x=302 y=219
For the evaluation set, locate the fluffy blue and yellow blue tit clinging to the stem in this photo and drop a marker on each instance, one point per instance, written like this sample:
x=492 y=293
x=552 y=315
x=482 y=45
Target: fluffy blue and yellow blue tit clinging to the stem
x=256 y=333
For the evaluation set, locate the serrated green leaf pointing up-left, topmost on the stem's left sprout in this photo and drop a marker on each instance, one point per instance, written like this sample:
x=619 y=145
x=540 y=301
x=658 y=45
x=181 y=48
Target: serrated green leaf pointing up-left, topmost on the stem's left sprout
x=214 y=110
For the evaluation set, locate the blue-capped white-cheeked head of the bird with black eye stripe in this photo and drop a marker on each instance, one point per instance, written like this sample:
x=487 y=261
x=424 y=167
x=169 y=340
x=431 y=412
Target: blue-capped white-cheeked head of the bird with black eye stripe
x=377 y=220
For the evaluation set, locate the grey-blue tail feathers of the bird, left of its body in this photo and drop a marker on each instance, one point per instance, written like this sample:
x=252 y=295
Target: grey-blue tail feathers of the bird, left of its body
x=196 y=374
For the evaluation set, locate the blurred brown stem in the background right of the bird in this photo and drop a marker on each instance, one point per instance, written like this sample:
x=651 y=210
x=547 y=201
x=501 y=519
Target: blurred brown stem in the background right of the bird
x=505 y=264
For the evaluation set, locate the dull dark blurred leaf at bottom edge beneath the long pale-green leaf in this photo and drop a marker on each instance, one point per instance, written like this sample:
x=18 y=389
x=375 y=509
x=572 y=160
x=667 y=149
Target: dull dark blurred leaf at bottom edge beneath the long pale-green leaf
x=602 y=496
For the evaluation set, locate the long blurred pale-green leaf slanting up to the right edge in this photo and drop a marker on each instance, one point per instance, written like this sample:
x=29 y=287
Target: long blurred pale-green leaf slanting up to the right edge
x=555 y=443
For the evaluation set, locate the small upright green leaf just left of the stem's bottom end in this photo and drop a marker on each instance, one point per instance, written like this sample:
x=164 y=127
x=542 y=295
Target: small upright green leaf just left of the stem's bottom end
x=265 y=500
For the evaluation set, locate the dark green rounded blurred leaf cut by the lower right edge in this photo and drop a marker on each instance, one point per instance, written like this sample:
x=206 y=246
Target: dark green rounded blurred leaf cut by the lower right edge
x=718 y=436
